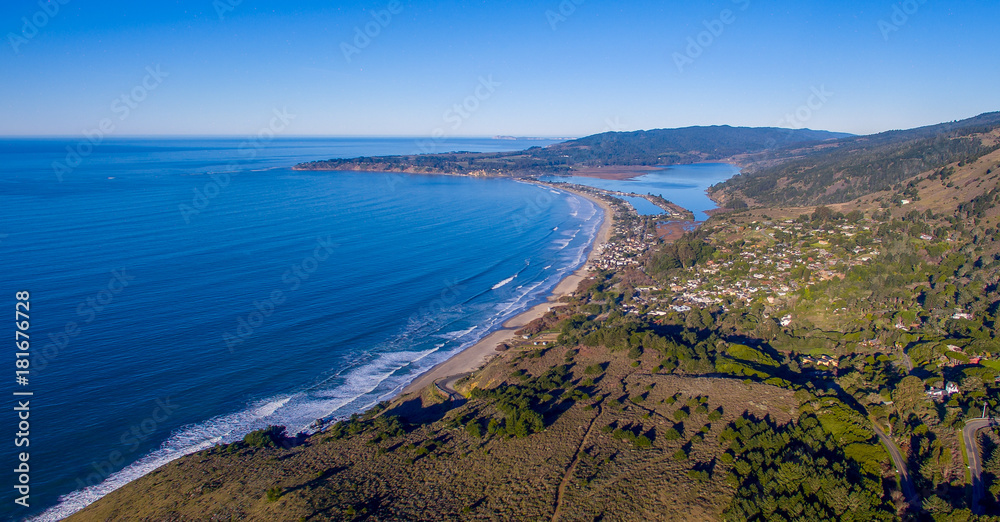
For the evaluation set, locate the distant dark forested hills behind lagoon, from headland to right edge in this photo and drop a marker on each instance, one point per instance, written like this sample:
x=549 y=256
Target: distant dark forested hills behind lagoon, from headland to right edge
x=780 y=166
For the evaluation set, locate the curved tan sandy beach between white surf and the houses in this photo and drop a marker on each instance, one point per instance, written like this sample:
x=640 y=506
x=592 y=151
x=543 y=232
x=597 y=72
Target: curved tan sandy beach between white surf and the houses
x=477 y=355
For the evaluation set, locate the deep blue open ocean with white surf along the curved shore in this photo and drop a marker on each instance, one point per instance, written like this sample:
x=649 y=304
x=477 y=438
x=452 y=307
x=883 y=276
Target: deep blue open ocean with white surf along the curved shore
x=187 y=291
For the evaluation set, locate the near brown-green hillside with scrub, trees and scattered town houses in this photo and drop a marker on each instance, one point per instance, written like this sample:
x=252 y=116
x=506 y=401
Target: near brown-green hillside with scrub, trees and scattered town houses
x=779 y=362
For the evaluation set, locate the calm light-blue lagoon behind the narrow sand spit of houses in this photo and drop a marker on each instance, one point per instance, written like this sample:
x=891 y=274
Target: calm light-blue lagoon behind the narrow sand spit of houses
x=681 y=184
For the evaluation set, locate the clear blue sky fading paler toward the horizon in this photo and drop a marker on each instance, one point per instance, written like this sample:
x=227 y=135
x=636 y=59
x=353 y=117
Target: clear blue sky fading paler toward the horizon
x=594 y=66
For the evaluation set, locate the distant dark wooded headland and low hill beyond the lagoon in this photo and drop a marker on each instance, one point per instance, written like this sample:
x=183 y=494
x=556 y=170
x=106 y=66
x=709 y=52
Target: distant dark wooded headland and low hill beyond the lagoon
x=611 y=149
